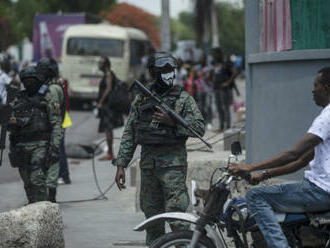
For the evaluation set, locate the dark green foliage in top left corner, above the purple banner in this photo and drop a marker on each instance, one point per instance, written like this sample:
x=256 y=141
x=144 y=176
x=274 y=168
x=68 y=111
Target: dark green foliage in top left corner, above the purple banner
x=20 y=14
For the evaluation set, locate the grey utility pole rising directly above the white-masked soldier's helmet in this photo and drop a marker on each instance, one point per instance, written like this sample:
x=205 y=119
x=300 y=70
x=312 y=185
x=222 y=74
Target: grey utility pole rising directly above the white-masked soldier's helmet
x=166 y=26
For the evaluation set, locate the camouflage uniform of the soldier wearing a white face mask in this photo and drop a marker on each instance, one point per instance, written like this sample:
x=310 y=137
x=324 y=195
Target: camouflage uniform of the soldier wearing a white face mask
x=163 y=168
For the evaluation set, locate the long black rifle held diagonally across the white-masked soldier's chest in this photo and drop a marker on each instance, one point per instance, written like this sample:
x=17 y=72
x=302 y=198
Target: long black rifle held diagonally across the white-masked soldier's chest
x=177 y=118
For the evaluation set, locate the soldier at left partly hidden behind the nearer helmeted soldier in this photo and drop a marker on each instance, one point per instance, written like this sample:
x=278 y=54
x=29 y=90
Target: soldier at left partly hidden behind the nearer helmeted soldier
x=48 y=67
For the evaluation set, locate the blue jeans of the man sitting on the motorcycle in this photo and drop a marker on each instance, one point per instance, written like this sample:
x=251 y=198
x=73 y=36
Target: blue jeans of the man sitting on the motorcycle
x=299 y=197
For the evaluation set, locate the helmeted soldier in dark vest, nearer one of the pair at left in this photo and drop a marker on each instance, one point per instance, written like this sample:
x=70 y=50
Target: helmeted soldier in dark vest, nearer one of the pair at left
x=35 y=133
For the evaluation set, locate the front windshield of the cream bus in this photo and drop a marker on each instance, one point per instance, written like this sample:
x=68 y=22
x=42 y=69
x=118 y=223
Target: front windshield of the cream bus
x=95 y=47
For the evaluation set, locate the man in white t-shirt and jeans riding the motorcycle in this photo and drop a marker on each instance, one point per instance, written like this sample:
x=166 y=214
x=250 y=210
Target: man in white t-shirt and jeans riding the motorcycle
x=312 y=194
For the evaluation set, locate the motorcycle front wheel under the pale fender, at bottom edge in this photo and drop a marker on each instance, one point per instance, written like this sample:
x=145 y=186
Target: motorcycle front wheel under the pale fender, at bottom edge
x=181 y=239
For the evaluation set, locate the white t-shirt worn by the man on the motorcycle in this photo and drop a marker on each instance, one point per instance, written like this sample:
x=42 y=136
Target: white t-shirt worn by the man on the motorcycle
x=319 y=172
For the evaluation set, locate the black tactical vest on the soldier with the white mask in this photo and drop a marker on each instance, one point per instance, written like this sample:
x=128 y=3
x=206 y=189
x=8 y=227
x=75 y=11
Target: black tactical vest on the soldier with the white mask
x=148 y=133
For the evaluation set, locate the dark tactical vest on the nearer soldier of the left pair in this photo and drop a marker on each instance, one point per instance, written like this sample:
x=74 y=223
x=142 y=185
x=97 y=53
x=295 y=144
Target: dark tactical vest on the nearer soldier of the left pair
x=32 y=120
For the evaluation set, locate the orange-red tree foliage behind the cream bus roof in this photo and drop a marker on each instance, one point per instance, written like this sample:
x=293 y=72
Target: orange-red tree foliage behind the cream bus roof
x=130 y=16
